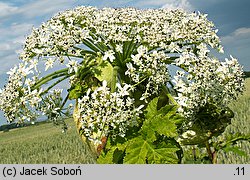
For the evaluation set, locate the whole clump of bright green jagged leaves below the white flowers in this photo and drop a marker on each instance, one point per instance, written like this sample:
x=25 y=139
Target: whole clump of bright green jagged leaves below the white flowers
x=153 y=143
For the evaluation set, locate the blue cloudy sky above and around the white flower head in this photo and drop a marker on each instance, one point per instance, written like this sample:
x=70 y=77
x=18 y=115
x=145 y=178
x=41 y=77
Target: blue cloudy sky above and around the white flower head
x=17 y=17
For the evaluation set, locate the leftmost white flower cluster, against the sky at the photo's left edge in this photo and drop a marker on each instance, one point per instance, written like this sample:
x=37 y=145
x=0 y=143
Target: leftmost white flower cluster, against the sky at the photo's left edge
x=20 y=101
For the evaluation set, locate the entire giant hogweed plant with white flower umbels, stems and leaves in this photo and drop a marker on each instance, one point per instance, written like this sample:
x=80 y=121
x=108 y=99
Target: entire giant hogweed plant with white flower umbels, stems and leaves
x=128 y=108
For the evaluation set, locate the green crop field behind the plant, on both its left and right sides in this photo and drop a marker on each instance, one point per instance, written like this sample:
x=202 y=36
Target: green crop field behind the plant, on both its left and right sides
x=46 y=144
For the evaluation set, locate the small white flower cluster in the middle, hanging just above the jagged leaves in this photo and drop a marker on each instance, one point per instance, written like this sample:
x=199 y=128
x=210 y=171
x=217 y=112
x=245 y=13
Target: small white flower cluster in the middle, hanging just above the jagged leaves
x=150 y=66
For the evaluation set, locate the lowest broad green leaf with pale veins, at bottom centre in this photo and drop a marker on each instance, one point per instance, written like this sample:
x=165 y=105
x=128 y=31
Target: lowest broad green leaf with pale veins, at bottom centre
x=141 y=151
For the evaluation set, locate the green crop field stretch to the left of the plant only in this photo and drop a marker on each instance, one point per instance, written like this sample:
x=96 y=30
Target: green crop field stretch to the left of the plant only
x=43 y=144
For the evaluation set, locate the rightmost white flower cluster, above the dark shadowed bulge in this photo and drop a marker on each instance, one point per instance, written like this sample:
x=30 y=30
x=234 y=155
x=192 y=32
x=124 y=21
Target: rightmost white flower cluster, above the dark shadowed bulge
x=206 y=80
